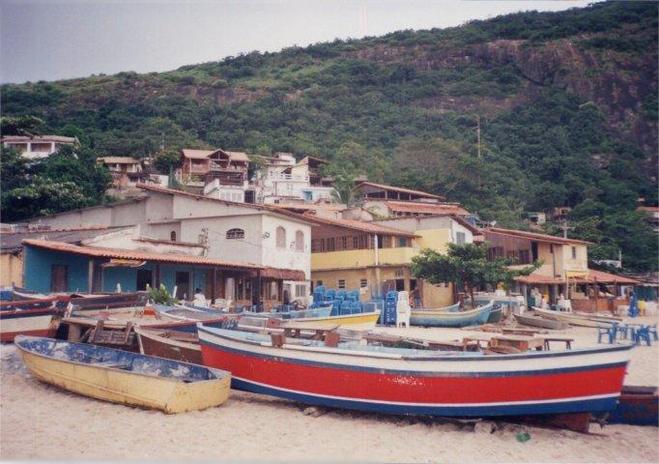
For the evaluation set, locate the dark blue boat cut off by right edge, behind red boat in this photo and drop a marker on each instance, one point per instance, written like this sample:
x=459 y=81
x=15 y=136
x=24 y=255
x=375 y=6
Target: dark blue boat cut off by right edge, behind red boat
x=637 y=406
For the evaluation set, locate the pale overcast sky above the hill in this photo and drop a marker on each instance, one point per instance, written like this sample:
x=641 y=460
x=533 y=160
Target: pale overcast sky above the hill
x=63 y=39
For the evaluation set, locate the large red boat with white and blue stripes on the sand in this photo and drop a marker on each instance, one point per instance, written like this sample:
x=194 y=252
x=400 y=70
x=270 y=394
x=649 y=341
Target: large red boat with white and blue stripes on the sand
x=416 y=381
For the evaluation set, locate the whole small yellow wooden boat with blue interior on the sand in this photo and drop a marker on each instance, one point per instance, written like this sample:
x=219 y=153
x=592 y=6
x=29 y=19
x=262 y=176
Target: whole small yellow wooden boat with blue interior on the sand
x=123 y=377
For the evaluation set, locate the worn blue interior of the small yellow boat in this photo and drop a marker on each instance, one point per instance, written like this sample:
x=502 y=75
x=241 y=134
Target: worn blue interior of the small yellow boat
x=99 y=356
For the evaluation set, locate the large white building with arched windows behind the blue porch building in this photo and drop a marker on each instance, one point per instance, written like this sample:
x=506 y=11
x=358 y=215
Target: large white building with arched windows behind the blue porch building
x=273 y=239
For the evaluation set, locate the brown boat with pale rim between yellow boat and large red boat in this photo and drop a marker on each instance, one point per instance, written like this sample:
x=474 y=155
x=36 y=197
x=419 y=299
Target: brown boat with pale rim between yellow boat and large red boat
x=170 y=344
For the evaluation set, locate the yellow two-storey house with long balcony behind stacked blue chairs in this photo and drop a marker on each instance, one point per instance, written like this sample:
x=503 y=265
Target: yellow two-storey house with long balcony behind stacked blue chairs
x=376 y=256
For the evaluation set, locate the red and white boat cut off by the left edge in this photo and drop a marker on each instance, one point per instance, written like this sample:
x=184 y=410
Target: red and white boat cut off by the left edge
x=38 y=321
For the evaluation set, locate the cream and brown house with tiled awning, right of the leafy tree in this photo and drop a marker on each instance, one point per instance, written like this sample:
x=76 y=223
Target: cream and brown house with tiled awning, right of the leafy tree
x=564 y=269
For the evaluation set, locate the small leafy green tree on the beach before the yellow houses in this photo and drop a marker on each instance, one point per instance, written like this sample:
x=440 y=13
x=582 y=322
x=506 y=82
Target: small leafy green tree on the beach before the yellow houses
x=466 y=266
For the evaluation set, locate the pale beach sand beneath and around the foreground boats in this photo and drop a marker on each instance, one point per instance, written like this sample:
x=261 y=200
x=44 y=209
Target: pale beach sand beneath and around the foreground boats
x=40 y=421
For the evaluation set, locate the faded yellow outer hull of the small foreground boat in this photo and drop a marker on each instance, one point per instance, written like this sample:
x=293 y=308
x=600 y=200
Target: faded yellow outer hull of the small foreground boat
x=114 y=385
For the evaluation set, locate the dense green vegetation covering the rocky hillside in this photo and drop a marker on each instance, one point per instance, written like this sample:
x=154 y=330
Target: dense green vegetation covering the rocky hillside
x=566 y=103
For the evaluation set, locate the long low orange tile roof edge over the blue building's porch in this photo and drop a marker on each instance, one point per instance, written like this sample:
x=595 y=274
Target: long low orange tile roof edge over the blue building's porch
x=99 y=252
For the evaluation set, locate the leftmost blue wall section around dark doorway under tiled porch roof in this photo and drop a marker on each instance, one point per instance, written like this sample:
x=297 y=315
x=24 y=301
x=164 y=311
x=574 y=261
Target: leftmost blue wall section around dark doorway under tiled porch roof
x=38 y=269
